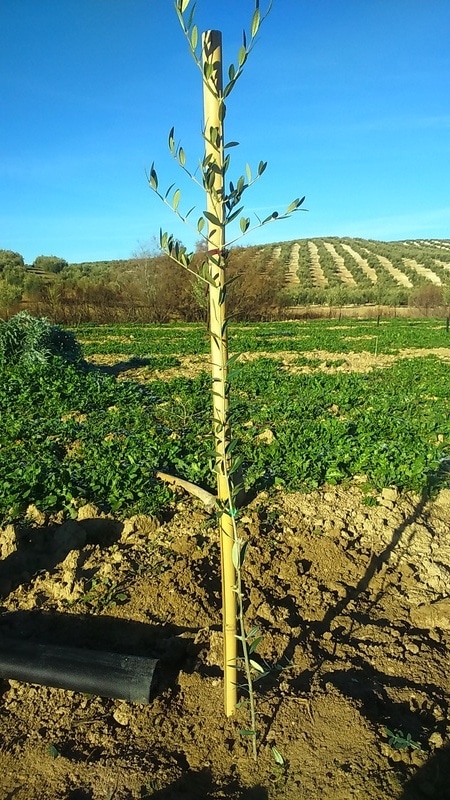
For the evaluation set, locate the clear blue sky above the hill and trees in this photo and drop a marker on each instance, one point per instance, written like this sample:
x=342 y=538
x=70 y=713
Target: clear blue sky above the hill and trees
x=347 y=100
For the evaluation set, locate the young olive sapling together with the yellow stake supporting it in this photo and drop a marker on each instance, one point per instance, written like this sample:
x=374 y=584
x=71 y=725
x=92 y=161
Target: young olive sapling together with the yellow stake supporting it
x=223 y=206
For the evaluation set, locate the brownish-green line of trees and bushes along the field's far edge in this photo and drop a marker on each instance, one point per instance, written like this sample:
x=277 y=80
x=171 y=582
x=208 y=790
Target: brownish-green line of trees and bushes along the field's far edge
x=147 y=288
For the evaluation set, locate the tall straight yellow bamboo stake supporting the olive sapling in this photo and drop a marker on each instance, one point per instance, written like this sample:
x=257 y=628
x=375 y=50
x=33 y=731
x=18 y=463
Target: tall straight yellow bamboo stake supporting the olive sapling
x=214 y=169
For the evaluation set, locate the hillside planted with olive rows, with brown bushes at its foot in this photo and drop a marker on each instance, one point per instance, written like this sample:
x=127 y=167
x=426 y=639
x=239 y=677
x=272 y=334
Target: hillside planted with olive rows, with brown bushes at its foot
x=273 y=280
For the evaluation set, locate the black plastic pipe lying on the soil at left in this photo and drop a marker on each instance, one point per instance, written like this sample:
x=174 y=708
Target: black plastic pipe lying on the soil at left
x=89 y=671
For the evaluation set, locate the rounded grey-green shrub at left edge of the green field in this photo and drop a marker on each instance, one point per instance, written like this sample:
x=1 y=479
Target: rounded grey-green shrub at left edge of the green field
x=31 y=341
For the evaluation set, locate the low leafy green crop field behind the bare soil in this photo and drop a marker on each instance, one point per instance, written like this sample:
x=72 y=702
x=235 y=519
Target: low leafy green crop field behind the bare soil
x=71 y=434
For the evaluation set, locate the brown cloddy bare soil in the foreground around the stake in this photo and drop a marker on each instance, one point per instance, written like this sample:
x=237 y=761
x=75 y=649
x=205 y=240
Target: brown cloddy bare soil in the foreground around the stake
x=353 y=600
